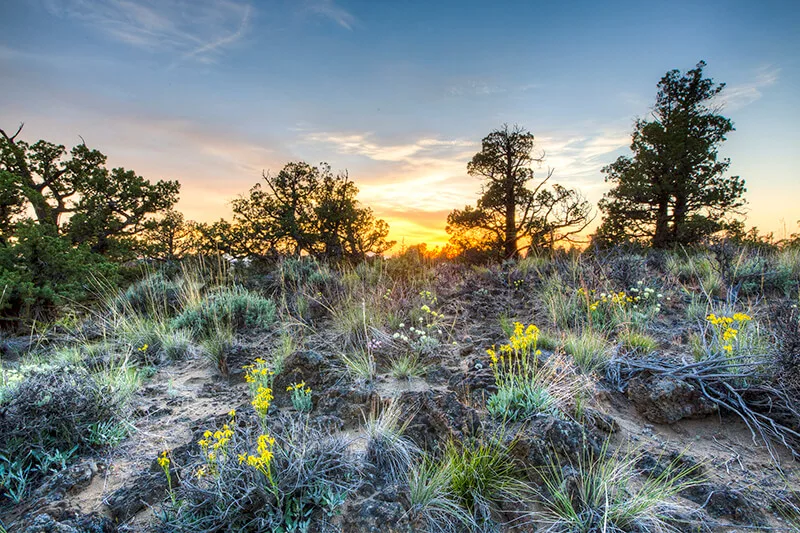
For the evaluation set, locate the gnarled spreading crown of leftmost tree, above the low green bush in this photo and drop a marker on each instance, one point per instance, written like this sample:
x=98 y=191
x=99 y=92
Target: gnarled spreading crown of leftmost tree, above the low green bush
x=74 y=194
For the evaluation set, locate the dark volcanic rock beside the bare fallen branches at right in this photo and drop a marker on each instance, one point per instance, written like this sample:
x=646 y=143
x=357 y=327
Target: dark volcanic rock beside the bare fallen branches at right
x=665 y=399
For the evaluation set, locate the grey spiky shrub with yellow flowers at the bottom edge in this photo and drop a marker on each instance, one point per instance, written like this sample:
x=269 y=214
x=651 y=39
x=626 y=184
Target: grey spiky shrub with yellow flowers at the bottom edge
x=306 y=469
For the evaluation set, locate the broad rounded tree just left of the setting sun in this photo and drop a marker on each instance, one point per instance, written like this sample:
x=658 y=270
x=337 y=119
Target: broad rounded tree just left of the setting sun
x=302 y=209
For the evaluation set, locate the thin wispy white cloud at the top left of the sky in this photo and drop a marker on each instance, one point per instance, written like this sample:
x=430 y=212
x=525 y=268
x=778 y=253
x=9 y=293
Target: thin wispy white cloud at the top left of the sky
x=197 y=29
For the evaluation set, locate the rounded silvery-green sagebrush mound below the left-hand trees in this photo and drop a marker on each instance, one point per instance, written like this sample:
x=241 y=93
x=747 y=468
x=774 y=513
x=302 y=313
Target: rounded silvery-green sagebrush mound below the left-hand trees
x=237 y=308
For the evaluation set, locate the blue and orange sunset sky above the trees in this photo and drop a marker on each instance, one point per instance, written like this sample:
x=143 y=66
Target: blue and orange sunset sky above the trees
x=398 y=93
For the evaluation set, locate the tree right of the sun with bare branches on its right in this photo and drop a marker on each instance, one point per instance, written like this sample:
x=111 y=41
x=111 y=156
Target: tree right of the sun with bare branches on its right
x=510 y=215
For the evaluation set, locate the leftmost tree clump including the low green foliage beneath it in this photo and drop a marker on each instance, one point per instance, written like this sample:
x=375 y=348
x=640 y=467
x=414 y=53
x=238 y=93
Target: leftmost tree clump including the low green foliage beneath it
x=83 y=215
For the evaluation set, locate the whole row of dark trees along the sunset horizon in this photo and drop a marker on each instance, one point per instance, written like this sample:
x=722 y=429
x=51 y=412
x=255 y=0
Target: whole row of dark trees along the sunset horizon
x=64 y=216
